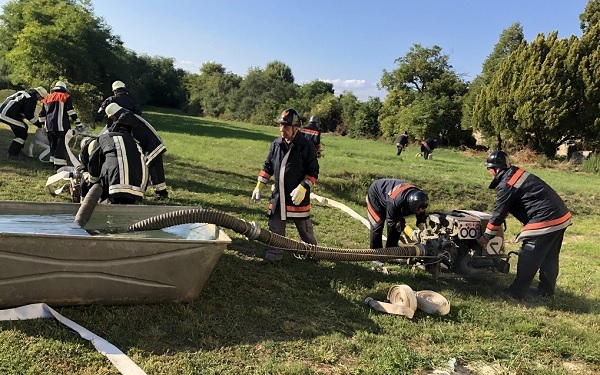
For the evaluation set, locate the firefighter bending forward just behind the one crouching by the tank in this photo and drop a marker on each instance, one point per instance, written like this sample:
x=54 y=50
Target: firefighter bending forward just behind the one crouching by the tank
x=150 y=142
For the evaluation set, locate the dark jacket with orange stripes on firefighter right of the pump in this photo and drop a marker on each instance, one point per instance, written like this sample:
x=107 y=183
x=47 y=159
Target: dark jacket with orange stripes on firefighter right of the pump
x=530 y=200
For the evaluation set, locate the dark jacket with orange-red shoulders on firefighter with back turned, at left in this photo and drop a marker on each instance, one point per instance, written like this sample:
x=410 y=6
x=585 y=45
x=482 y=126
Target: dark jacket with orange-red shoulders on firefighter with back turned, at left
x=58 y=111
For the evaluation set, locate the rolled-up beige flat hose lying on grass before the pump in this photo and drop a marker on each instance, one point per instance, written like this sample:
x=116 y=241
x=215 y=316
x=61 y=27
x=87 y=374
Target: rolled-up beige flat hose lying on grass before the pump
x=404 y=301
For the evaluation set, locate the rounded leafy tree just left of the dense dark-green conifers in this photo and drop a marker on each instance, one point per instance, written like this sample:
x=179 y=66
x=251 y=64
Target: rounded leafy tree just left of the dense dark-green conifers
x=423 y=88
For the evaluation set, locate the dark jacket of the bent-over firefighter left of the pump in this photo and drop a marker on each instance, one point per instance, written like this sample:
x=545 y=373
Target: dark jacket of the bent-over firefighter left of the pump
x=387 y=199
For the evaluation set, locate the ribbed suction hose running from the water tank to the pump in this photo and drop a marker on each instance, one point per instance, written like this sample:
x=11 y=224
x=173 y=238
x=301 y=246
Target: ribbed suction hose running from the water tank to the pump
x=252 y=231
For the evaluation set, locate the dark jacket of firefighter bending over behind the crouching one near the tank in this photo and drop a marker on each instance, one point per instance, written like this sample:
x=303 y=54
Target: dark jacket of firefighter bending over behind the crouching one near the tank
x=144 y=133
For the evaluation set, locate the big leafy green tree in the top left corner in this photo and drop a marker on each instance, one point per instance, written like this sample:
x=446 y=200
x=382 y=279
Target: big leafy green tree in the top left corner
x=42 y=40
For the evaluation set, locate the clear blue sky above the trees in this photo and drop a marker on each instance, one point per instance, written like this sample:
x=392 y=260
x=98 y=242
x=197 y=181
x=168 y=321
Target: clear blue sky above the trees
x=346 y=42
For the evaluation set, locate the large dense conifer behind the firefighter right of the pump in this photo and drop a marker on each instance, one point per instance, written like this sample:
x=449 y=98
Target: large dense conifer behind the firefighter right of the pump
x=534 y=98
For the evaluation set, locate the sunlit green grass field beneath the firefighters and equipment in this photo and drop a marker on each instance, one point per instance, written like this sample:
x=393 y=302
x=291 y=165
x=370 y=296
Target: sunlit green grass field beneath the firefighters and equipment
x=307 y=318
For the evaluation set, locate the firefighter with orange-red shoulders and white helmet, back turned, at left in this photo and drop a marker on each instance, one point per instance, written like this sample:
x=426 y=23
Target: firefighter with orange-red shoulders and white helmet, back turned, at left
x=57 y=114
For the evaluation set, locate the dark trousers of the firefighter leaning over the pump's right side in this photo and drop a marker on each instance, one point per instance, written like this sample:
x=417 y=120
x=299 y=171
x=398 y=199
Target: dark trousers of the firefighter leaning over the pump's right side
x=539 y=253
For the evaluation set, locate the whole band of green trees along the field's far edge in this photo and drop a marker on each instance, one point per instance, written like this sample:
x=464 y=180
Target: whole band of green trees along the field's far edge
x=537 y=94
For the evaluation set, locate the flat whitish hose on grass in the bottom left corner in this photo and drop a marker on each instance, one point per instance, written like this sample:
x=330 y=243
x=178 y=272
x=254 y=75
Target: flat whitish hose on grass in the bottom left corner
x=40 y=310
